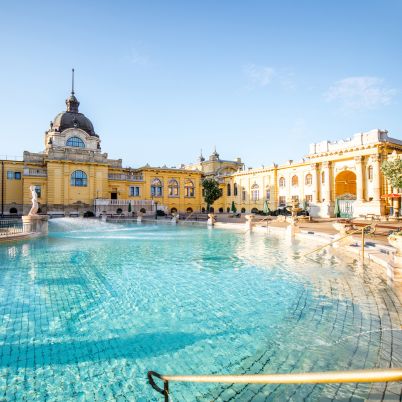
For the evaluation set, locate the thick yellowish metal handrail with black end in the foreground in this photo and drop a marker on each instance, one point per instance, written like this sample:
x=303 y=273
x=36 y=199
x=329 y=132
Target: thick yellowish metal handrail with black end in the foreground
x=328 y=377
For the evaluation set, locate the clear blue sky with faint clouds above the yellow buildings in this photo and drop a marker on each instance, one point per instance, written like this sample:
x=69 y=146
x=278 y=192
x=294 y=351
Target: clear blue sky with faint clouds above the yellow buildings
x=161 y=80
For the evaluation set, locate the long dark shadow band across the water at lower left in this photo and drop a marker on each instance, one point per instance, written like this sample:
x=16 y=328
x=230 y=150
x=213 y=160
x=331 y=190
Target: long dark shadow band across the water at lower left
x=72 y=352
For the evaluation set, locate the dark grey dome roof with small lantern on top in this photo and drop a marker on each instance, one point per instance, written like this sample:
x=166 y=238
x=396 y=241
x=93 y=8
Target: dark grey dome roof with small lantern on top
x=72 y=118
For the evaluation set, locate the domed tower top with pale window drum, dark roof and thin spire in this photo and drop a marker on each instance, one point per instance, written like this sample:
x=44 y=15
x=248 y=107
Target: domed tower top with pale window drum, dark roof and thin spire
x=72 y=129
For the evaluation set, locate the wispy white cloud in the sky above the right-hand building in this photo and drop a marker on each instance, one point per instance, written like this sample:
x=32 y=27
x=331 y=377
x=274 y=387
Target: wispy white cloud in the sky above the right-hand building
x=360 y=93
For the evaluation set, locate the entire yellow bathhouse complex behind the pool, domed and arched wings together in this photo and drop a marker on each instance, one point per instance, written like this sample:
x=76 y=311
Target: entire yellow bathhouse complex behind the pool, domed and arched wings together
x=73 y=177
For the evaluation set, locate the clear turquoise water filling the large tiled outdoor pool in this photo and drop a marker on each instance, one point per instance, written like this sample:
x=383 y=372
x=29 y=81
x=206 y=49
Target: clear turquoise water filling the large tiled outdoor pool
x=86 y=312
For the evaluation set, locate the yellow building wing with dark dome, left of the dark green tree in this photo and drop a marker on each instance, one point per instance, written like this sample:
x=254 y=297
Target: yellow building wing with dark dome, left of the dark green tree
x=73 y=177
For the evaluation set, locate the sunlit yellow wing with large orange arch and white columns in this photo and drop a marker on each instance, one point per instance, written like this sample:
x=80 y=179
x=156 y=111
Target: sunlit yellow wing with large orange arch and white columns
x=346 y=172
